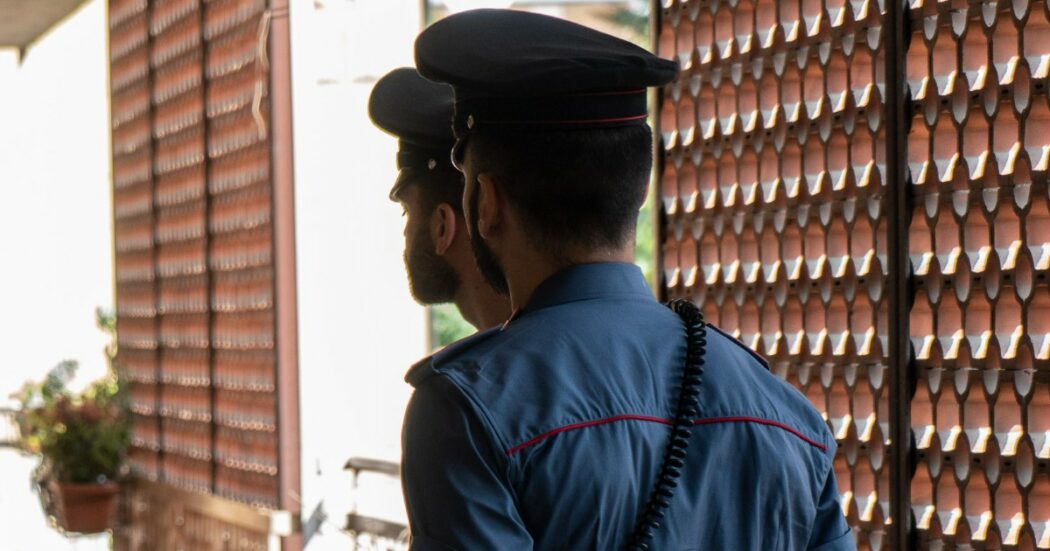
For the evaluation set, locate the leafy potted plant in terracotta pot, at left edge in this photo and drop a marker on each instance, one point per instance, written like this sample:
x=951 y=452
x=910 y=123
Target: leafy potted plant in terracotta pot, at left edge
x=81 y=438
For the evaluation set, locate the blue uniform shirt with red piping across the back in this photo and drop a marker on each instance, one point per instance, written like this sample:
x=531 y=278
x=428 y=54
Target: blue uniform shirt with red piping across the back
x=549 y=434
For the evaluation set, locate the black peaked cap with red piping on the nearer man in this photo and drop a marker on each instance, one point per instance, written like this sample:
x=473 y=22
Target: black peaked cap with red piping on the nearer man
x=512 y=68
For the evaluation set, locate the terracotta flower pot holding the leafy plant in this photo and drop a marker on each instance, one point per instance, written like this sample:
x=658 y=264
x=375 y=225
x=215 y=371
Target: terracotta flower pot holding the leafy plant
x=85 y=508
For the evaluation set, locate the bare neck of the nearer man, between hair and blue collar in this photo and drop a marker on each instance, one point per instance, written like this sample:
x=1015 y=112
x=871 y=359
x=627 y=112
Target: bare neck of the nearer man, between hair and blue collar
x=528 y=270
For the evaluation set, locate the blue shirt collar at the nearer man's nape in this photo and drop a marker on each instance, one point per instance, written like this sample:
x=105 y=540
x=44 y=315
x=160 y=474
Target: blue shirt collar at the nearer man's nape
x=587 y=282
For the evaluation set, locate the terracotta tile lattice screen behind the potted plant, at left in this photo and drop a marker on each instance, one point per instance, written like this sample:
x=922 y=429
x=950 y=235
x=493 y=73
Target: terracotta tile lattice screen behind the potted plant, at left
x=195 y=244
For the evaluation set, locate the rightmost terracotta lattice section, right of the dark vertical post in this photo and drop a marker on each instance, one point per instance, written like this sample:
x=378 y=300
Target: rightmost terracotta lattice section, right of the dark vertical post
x=980 y=247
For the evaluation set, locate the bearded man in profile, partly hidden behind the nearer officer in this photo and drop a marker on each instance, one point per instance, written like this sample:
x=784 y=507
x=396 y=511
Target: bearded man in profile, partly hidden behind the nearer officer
x=437 y=250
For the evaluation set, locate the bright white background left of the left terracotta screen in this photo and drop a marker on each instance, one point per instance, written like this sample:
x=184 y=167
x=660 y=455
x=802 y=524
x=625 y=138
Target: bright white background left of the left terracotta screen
x=56 y=240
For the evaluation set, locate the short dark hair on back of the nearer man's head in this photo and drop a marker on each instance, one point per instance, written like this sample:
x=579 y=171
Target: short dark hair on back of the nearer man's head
x=574 y=188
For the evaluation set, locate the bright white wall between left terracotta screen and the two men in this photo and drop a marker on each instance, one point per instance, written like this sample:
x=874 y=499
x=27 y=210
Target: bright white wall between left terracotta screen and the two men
x=360 y=330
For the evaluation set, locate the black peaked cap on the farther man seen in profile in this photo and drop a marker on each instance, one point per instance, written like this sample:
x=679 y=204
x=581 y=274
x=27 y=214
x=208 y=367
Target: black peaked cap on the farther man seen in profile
x=419 y=114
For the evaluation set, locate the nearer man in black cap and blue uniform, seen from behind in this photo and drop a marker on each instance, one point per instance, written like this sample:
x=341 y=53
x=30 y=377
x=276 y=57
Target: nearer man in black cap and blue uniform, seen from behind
x=596 y=418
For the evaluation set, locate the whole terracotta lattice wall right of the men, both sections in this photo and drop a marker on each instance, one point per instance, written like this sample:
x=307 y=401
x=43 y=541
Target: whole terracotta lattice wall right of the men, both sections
x=776 y=208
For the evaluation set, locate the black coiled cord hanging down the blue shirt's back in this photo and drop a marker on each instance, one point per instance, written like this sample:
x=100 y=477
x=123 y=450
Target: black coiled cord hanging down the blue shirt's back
x=688 y=409
